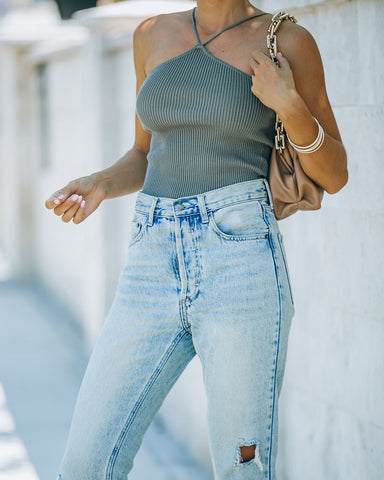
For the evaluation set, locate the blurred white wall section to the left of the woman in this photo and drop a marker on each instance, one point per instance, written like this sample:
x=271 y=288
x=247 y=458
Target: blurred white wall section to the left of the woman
x=90 y=110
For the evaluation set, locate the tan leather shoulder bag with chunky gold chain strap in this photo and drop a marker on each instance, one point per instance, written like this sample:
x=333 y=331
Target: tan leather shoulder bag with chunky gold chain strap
x=291 y=188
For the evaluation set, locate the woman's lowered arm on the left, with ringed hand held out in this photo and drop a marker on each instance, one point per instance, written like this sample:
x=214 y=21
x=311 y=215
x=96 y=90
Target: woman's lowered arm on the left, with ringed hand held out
x=80 y=197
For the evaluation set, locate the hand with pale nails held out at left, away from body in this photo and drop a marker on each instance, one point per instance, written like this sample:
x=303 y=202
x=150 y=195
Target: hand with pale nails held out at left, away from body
x=78 y=199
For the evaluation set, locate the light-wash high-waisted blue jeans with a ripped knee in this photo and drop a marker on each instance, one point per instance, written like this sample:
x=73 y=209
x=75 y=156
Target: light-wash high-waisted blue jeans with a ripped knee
x=203 y=274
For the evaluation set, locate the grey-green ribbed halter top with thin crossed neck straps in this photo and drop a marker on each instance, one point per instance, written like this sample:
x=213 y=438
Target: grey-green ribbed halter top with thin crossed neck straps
x=208 y=129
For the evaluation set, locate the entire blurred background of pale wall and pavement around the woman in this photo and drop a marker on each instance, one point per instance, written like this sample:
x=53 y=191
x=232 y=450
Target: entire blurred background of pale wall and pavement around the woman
x=67 y=108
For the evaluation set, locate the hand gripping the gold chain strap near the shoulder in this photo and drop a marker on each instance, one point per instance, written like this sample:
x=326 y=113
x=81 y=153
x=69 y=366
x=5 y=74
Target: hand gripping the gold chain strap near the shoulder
x=272 y=84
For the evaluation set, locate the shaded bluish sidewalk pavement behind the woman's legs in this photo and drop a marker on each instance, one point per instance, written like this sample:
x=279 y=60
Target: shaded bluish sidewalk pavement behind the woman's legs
x=42 y=361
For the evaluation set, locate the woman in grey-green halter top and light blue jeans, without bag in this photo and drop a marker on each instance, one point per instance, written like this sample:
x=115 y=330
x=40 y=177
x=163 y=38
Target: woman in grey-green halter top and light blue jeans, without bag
x=205 y=270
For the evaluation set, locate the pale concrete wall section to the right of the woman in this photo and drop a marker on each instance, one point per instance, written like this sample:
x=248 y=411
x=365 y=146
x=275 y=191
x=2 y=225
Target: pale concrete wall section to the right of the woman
x=332 y=422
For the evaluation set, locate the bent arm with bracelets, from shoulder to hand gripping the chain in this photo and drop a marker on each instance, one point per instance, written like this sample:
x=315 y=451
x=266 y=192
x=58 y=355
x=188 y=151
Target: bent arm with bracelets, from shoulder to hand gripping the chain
x=297 y=92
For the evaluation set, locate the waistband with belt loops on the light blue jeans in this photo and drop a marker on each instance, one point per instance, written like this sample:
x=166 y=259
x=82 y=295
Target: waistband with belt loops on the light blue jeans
x=203 y=202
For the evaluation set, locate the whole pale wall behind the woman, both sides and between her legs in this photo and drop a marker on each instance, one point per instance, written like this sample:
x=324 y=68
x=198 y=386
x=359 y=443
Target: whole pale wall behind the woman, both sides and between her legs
x=331 y=421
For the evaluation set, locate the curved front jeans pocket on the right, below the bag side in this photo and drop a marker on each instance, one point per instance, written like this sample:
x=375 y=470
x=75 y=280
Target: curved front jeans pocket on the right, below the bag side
x=240 y=221
